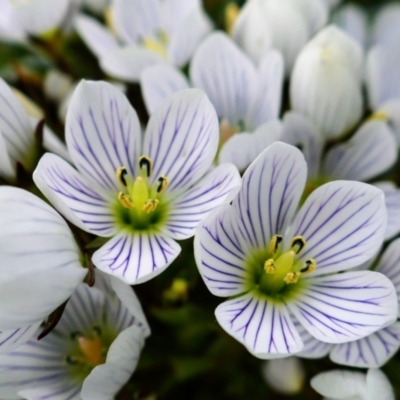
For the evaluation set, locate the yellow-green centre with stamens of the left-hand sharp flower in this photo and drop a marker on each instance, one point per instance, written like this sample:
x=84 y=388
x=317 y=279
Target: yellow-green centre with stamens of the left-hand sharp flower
x=141 y=206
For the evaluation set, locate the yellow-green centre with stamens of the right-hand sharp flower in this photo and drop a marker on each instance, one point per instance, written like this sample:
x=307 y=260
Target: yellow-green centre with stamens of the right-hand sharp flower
x=278 y=274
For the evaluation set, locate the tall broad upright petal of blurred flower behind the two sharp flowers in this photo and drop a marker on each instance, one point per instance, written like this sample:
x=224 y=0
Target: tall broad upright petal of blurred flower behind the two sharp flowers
x=227 y=76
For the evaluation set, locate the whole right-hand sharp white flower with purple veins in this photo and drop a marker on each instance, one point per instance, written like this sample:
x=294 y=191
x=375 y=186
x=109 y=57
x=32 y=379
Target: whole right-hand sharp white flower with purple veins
x=279 y=274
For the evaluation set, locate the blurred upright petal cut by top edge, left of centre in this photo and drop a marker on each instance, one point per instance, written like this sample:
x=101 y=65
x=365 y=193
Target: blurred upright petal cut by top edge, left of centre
x=136 y=19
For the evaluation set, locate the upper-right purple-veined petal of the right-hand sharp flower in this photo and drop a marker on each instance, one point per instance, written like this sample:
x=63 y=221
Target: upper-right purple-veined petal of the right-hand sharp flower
x=343 y=223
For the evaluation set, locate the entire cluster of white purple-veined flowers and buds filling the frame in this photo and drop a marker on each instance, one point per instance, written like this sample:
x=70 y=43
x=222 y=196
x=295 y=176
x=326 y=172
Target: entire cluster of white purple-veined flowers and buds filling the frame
x=289 y=219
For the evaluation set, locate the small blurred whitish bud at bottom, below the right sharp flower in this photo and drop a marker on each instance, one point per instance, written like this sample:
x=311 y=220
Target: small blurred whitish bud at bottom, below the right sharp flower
x=284 y=375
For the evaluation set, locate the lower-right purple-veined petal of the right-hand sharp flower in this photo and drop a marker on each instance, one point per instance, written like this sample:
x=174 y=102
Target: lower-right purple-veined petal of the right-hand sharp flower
x=345 y=307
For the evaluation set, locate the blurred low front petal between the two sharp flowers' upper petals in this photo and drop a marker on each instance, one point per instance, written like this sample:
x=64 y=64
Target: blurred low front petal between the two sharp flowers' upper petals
x=242 y=149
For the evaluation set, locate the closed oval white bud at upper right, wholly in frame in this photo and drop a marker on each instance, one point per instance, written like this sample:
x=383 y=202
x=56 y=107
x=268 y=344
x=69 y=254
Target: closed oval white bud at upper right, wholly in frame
x=326 y=82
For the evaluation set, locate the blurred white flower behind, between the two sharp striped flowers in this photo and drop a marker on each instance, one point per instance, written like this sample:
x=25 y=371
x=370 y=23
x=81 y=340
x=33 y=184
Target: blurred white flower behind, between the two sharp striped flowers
x=245 y=97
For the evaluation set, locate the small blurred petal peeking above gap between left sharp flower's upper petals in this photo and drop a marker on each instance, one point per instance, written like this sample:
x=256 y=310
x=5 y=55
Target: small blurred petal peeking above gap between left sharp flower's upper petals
x=159 y=82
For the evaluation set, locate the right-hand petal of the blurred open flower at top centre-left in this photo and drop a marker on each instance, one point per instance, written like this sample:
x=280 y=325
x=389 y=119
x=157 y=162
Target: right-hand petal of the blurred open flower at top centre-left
x=187 y=35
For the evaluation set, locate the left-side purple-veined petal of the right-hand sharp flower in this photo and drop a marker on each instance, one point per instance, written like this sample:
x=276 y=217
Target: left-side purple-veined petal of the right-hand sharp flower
x=220 y=251
